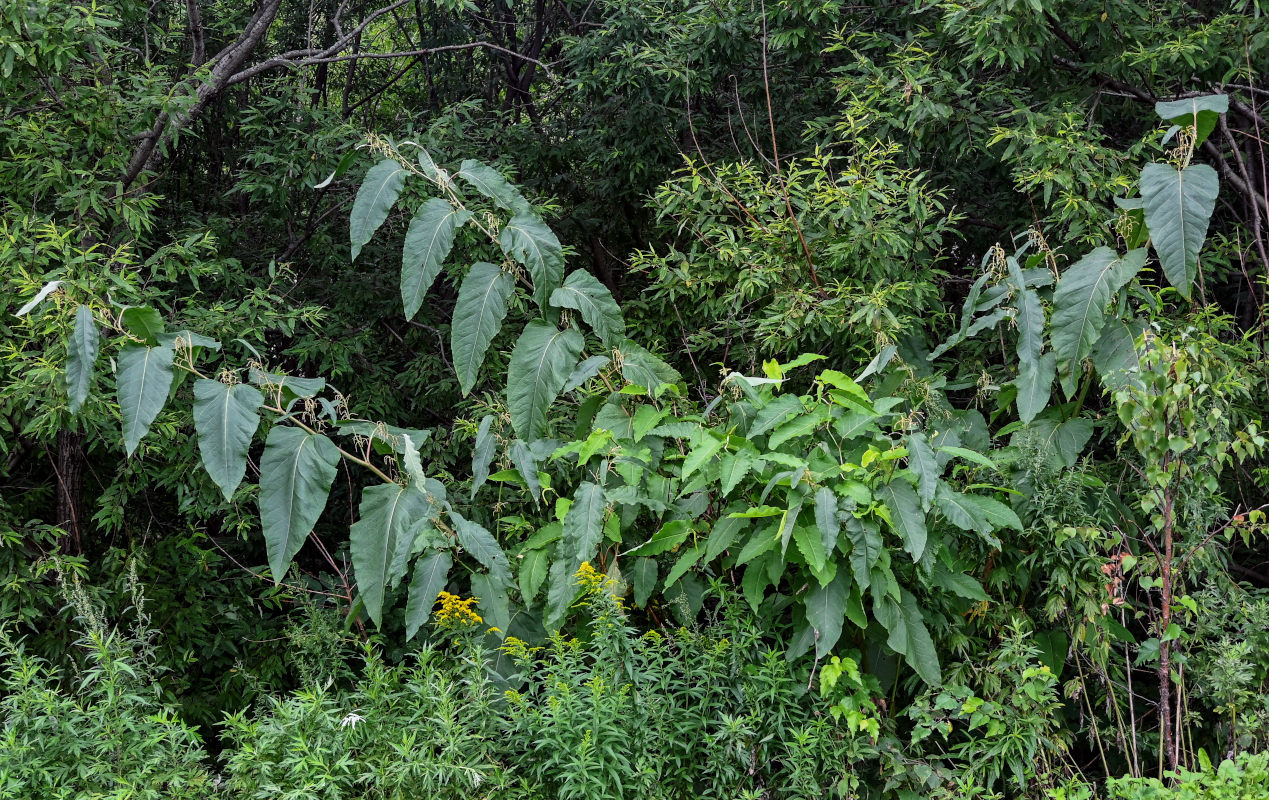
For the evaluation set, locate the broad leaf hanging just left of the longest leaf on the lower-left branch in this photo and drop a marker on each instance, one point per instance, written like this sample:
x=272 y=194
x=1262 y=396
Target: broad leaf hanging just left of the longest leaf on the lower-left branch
x=225 y=418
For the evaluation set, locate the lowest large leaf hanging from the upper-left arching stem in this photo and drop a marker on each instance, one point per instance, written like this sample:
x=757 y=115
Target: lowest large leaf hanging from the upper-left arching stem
x=541 y=364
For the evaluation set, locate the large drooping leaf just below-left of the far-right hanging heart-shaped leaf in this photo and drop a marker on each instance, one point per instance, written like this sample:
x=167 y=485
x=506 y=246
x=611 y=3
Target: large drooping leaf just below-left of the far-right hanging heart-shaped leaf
x=1082 y=298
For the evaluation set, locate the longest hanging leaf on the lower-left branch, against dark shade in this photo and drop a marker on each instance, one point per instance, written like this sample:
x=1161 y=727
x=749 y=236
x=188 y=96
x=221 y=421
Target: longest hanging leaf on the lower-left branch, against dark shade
x=296 y=473
